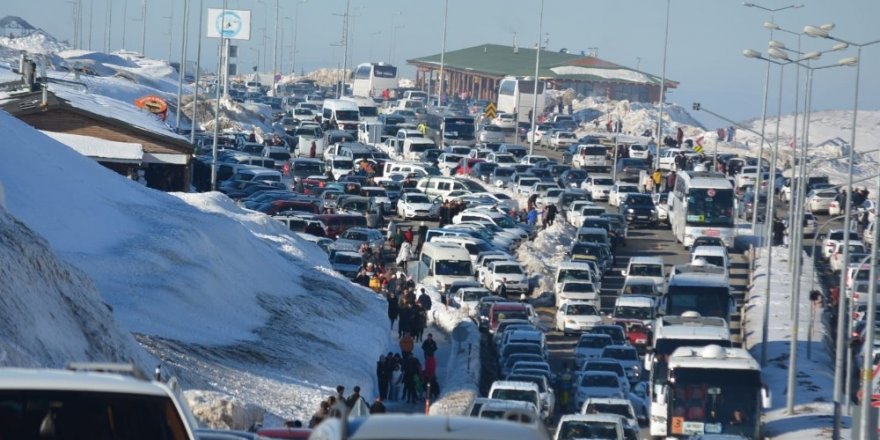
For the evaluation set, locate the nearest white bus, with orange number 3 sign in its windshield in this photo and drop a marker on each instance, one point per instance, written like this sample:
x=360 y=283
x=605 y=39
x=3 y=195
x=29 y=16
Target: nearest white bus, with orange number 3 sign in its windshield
x=711 y=390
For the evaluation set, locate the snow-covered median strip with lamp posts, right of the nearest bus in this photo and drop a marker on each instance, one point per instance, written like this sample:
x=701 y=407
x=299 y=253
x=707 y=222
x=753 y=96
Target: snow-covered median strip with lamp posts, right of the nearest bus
x=815 y=377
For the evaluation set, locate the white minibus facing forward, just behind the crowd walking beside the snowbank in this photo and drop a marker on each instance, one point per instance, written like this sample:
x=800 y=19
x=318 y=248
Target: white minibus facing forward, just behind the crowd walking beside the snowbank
x=442 y=263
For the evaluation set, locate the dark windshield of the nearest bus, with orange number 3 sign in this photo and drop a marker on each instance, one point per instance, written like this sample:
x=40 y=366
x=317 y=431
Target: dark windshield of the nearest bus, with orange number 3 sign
x=721 y=401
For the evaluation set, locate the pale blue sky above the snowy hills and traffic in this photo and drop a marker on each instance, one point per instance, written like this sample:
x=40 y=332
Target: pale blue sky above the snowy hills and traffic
x=706 y=38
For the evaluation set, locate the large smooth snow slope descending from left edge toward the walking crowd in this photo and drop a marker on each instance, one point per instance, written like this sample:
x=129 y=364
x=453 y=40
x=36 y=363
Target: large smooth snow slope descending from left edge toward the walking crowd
x=226 y=296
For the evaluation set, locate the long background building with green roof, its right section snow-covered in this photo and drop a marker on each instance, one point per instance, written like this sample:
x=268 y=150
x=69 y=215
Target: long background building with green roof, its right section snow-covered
x=476 y=72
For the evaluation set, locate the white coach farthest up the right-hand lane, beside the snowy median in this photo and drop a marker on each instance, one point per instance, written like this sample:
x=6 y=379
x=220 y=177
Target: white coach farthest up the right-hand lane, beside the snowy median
x=701 y=204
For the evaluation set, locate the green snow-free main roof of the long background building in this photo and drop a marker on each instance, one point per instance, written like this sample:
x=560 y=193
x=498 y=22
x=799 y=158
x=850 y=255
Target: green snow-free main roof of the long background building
x=499 y=60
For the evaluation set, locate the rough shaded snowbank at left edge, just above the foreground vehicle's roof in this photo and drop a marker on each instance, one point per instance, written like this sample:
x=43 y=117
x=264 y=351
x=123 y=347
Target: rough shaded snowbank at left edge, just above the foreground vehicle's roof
x=51 y=312
